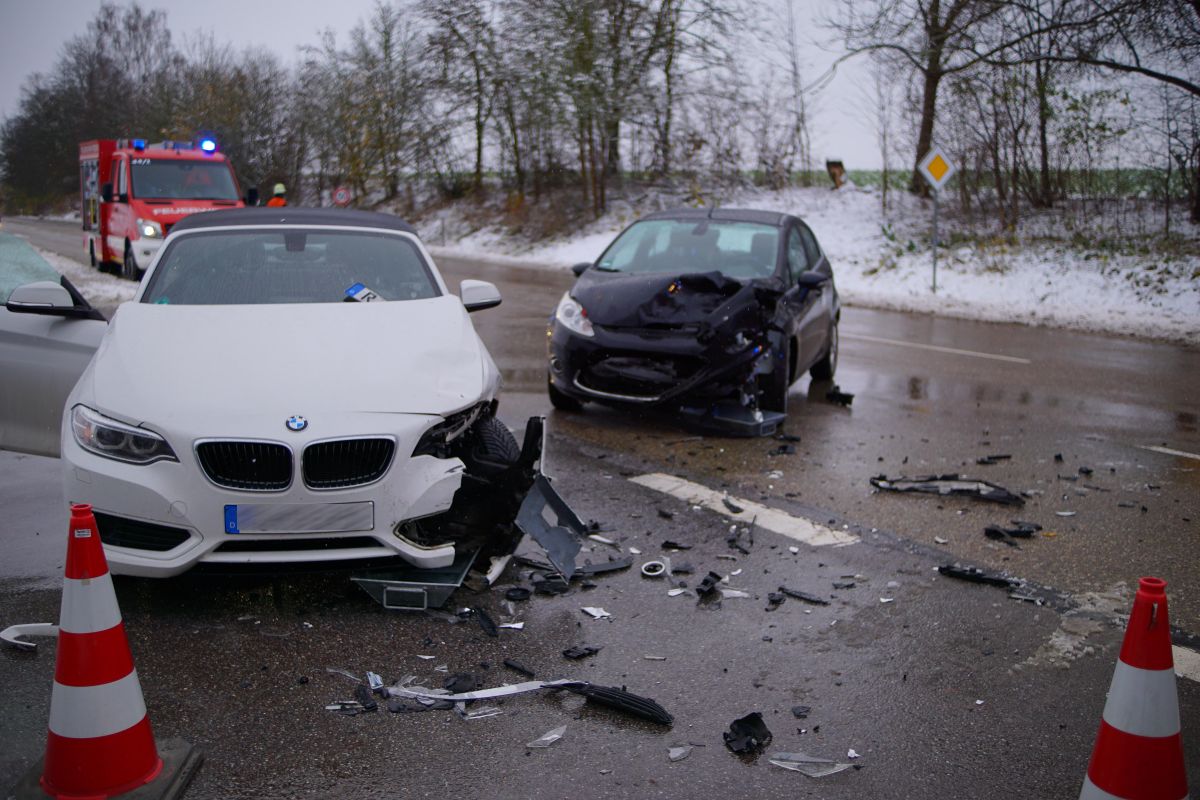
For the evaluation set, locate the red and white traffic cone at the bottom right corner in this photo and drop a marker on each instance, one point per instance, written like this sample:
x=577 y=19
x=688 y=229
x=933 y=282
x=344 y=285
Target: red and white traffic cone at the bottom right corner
x=1139 y=753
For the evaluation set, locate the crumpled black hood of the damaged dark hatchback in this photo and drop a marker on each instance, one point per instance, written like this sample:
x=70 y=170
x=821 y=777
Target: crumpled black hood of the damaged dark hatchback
x=668 y=300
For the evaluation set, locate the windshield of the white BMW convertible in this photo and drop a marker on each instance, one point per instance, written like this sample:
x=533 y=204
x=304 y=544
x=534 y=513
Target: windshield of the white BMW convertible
x=286 y=267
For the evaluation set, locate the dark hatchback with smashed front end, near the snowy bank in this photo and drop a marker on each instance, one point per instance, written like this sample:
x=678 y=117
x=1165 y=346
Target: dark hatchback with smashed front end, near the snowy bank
x=715 y=314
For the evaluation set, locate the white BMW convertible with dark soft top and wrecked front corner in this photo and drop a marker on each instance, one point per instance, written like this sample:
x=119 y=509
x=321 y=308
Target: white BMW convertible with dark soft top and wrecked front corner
x=289 y=386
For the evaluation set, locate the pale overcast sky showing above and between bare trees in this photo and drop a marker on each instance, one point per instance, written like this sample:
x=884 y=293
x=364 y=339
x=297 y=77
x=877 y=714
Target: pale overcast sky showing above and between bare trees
x=34 y=32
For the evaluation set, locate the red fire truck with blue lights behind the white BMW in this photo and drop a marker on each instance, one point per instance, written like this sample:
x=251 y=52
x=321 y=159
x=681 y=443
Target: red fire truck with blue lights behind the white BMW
x=134 y=193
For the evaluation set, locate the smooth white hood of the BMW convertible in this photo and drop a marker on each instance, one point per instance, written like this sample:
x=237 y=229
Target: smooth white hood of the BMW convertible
x=170 y=364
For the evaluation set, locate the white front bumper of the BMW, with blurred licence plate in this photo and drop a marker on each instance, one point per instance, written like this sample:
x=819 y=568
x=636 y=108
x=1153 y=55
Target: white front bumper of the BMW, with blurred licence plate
x=161 y=520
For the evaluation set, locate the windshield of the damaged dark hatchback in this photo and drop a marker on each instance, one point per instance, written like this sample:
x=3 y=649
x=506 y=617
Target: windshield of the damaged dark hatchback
x=740 y=250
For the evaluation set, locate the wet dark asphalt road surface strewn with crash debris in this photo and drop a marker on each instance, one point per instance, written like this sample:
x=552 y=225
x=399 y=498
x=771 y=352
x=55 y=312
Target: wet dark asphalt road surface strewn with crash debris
x=235 y=667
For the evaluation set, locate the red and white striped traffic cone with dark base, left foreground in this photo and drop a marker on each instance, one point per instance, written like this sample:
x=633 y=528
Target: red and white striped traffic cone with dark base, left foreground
x=100 y=743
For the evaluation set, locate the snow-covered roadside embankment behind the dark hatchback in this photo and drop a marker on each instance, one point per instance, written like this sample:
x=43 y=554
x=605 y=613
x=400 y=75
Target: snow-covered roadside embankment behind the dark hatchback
x=1031 y=284
